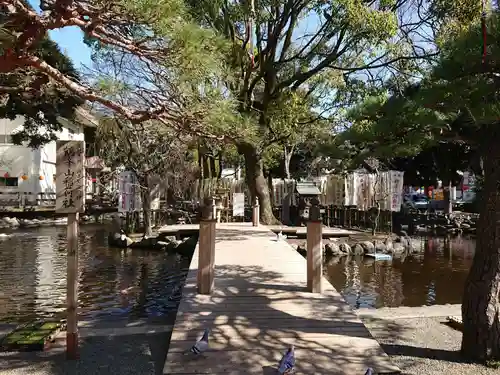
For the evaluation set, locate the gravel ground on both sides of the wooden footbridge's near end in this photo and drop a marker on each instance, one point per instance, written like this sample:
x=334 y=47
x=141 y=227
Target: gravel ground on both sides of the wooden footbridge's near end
x=418 y=345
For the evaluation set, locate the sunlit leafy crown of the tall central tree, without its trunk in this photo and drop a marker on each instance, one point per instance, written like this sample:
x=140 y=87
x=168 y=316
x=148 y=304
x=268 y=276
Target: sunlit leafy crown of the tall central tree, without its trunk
x=304 y=77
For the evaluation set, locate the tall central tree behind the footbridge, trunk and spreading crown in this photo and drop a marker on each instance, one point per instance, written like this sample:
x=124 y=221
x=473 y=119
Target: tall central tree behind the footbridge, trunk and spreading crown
x=328 y=50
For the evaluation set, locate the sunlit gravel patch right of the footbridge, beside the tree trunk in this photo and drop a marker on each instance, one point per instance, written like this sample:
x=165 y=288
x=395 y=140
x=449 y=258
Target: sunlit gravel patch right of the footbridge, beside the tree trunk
x=423 y=346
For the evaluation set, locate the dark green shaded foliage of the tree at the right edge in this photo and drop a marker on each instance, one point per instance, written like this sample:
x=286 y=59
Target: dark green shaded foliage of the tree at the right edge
x=457 y=101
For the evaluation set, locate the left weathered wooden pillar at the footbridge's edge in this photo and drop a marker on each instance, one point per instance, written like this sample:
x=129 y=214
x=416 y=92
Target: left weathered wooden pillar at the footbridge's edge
x=206 y=248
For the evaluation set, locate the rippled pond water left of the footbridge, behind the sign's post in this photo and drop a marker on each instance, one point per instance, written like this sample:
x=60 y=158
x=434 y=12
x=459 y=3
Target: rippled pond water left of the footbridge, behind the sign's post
x=132 y=284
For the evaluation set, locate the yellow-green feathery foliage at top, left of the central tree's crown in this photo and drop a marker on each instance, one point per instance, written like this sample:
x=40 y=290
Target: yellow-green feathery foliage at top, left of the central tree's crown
x=183 y=77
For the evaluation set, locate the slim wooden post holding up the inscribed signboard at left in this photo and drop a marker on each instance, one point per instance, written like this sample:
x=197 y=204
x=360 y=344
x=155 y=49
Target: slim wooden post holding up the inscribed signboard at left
x=72 y=287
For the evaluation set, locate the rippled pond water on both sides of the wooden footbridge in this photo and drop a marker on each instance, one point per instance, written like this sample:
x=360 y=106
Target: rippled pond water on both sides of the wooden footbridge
x=137 y=284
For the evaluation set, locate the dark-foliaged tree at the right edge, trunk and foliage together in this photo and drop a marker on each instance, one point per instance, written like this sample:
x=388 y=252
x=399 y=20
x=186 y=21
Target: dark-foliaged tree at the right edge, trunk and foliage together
x=458 y=102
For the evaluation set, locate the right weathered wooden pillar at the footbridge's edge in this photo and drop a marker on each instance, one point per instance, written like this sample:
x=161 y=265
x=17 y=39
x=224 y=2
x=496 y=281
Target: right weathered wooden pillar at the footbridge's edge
x=314 y=248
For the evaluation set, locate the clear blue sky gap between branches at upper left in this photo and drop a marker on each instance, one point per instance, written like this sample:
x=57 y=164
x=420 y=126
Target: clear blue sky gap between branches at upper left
x=70 y=40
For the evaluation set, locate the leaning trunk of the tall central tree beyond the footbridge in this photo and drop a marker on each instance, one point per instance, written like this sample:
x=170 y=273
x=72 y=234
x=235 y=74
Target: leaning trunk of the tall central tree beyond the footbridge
x=257 y=184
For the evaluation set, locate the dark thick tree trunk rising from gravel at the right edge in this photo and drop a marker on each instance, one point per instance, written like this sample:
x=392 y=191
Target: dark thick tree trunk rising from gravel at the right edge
x=481 y=299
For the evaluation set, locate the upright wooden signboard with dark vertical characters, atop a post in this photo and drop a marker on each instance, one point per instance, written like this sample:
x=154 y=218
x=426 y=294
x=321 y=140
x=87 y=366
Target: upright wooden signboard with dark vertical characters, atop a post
x=70 y=176
